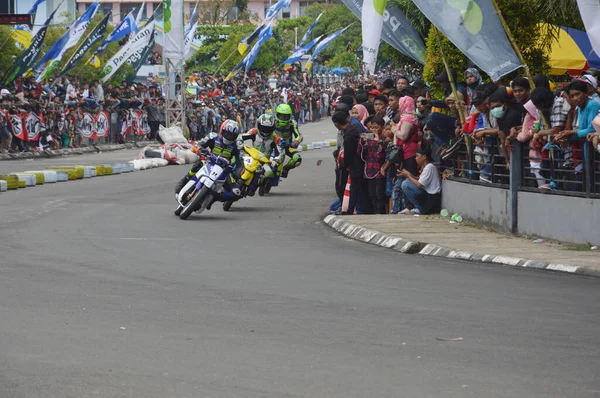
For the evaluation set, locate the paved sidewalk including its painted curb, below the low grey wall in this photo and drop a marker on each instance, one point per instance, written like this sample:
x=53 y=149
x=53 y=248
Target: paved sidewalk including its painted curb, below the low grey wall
x=435 y=236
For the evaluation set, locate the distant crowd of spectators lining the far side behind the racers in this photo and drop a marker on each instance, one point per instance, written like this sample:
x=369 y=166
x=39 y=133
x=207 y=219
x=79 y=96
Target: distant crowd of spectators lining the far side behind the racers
x=61 y=105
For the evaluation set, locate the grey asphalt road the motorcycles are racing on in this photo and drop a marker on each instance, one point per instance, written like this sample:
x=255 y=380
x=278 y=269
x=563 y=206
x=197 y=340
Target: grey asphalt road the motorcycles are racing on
x=104 y=293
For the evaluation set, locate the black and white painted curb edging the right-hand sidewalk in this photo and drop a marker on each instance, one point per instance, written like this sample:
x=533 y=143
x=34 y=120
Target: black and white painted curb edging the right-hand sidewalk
x=402 y=245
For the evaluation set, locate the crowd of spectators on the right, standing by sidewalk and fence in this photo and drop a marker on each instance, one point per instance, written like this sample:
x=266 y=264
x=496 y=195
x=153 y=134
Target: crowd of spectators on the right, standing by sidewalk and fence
x=396 y=142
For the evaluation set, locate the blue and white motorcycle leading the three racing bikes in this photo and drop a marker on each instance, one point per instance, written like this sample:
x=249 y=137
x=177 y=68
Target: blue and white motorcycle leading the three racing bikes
x=208 y=182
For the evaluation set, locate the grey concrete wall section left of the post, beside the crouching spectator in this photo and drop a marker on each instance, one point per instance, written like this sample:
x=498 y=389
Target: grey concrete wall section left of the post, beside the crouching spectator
x=478 y=203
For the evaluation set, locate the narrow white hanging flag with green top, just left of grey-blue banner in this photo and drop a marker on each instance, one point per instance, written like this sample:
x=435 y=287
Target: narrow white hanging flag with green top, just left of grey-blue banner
x=372 y=24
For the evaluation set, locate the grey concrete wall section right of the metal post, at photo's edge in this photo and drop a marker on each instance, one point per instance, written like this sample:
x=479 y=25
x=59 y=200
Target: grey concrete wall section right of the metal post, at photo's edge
x=563 y=218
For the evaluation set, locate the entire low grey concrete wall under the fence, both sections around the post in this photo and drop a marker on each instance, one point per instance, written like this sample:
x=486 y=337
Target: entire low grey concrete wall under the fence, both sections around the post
x=563 y=218
